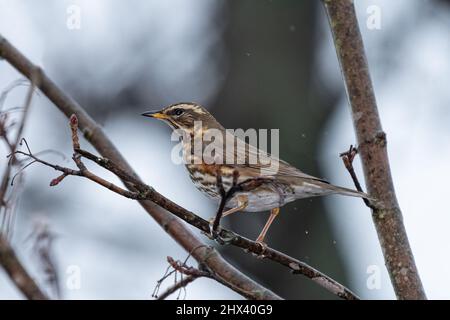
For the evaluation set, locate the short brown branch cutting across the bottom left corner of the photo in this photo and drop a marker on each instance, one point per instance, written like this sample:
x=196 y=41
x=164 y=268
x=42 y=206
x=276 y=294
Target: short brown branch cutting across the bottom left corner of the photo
x=17 y=273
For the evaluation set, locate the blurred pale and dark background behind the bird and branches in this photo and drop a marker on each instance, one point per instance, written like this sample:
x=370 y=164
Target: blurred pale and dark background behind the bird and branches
x=253 y=64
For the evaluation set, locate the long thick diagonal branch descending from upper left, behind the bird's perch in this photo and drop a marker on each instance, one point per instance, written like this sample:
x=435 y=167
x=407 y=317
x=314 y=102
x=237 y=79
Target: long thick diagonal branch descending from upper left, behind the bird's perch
x=95 y=135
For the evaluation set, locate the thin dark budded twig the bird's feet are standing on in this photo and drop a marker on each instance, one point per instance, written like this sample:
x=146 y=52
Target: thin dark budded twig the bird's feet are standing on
x=145 y=192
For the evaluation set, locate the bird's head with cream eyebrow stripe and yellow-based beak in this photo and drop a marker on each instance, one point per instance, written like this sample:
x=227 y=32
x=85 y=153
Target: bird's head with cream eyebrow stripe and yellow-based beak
x=184 y=116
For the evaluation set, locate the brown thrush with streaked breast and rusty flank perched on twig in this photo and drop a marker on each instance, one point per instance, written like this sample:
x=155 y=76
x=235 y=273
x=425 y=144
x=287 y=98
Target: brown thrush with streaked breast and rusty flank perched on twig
x=260 y=181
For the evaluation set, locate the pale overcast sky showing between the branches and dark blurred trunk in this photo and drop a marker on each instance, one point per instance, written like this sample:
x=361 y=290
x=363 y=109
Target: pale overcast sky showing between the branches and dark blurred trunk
x=413 y=99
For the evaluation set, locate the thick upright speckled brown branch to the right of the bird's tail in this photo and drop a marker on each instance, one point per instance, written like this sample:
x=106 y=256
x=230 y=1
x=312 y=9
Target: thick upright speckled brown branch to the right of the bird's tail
x=387 y=215
